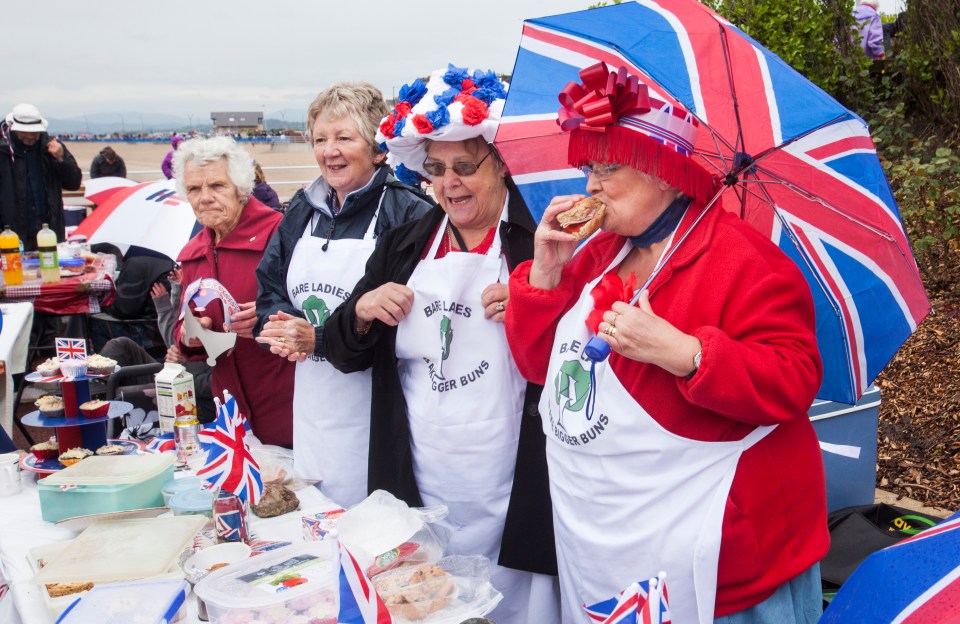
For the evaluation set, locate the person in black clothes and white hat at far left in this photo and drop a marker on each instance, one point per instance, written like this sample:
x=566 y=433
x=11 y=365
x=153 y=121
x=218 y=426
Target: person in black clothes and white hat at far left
x=34 y=169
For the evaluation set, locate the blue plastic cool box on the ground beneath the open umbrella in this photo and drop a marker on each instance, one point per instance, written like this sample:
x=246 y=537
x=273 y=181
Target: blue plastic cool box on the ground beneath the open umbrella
x=848 y=442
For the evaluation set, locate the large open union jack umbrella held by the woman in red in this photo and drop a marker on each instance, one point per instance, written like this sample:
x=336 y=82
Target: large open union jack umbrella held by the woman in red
x=792 y=161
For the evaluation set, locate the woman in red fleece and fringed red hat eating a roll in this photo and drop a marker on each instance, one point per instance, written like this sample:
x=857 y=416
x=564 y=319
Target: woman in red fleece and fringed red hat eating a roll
x=688 y=449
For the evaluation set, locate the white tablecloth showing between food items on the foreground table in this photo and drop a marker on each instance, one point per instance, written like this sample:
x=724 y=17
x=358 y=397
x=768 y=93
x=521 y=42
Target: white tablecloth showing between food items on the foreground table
x=22 y=529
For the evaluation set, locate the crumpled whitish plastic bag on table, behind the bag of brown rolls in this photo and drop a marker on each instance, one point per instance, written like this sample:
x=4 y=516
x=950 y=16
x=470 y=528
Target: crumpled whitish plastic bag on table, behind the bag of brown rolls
x=382 y=532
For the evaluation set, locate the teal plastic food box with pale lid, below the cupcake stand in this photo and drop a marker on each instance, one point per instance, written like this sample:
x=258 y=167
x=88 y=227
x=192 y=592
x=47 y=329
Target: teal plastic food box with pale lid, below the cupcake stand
x=101 y=484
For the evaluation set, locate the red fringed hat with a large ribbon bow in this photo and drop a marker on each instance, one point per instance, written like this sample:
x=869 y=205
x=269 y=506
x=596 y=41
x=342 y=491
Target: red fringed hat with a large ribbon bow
x=612 y=118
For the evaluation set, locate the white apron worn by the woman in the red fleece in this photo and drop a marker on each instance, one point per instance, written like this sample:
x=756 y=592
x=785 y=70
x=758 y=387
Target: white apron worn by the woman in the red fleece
x=630 y=498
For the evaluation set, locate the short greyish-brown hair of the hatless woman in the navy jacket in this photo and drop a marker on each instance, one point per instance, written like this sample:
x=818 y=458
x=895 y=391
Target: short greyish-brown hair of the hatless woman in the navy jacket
x=360 y=101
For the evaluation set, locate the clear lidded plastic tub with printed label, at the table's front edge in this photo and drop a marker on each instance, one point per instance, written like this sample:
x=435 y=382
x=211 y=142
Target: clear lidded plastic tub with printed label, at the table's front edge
x=273 y=588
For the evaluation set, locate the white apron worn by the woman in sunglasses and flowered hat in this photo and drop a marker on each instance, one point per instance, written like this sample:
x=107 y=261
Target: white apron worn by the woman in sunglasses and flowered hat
x=464 y=400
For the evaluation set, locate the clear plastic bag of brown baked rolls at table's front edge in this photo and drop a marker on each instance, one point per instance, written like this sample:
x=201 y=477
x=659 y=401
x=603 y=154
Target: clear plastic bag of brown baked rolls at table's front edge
x=449 y=590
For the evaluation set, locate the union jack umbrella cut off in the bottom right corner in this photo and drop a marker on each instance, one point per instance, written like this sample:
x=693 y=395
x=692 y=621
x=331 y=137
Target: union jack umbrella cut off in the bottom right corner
x=917 y=580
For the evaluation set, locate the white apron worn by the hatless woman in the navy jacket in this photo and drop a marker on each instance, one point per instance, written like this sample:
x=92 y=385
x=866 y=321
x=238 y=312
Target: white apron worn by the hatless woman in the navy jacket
x=331 y=410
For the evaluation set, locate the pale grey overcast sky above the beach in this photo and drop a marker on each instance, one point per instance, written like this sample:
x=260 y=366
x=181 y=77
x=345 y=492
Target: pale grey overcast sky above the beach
x=190 y=57
